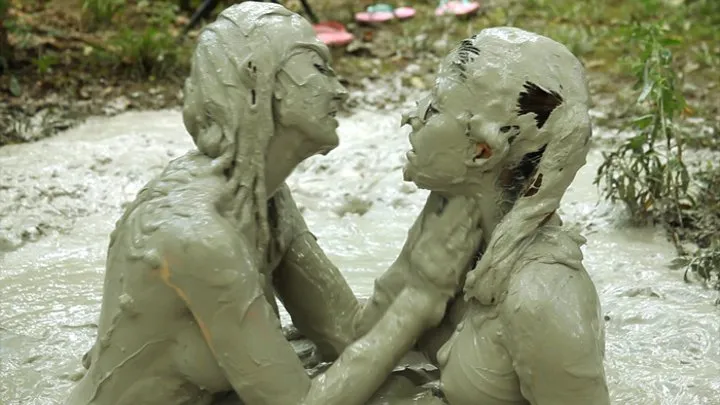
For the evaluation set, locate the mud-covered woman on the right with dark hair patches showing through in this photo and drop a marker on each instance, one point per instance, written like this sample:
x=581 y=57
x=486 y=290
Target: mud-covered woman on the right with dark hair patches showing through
x=508 y=122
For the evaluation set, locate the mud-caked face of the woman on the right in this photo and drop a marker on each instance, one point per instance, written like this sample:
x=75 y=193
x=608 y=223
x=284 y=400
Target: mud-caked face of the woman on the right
x=455 y=150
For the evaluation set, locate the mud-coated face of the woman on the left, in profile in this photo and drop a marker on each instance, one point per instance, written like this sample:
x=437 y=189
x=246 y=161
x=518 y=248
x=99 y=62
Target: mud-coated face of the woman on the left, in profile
x=308 y=98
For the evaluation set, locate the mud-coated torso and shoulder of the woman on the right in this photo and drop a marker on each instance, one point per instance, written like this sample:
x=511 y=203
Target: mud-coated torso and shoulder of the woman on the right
x=542 y=344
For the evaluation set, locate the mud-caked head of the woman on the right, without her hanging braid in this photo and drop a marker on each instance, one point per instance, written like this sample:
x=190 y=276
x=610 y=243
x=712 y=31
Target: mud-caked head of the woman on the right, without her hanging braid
x=492 y=105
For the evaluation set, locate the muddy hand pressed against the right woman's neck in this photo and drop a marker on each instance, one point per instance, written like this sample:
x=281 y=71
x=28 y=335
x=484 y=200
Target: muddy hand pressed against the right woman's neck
x=444 y=242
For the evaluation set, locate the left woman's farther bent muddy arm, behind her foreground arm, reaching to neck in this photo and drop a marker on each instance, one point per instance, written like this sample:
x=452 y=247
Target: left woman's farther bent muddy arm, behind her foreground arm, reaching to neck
x=319 y=299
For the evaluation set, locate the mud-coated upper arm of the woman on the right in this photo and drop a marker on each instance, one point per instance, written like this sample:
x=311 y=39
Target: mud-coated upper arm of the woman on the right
x=555 y=336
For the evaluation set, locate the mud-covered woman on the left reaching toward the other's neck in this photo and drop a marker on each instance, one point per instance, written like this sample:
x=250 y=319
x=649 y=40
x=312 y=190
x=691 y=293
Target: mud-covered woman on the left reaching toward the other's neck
x=195 y=262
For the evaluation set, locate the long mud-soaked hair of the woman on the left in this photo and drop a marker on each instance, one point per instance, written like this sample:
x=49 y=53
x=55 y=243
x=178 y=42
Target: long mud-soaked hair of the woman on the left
x=228 y=108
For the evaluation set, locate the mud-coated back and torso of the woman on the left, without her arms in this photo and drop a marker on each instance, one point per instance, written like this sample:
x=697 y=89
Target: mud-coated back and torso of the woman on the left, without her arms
x=150 y=349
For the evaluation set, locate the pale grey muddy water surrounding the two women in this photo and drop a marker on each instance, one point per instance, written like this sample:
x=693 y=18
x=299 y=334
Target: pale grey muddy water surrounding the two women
x=59 y=199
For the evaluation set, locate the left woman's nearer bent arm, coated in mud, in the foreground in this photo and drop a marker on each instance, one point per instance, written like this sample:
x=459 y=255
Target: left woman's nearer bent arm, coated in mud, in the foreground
x=223 y=290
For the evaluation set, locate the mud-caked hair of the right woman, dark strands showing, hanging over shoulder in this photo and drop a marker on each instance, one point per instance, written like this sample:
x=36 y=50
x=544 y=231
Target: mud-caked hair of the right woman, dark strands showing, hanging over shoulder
x=547 y=86
